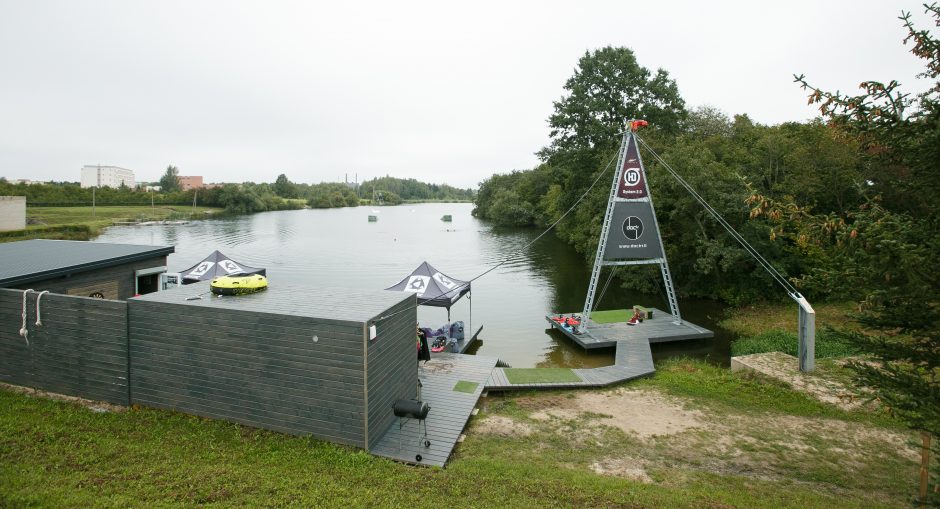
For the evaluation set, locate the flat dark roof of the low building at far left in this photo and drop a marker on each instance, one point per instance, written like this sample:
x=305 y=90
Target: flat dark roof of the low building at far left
x=36 y=260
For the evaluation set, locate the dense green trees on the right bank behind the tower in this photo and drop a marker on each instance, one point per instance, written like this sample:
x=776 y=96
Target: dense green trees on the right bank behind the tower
x=847 y=205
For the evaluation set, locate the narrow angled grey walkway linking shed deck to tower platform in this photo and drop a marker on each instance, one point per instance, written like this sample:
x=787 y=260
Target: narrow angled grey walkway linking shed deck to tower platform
x=633 y=359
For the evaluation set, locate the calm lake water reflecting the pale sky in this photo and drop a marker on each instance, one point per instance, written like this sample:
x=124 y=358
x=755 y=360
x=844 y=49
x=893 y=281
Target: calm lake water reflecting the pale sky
x=340 y=248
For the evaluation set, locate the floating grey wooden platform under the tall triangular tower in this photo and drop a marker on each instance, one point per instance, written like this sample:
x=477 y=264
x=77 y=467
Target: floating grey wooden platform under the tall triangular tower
x=659 y=329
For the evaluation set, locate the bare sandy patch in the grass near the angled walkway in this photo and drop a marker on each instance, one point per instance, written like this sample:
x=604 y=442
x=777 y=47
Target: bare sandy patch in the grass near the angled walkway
x=640 y=412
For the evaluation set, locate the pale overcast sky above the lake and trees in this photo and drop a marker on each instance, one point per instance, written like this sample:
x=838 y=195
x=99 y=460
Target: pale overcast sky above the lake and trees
x=438 y=91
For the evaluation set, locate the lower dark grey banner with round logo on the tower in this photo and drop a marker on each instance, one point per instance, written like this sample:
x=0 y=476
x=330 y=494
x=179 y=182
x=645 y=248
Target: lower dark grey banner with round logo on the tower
x=633 y=234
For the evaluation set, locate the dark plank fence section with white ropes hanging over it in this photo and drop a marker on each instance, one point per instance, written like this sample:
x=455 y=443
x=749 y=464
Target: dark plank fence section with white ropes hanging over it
x=79 y=350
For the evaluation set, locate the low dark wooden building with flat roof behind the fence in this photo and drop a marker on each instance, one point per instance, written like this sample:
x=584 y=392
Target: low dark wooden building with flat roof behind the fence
x=87 y=269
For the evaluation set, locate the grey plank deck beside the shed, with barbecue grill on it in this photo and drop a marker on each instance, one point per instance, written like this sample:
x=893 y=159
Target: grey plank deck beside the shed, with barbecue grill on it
x=450 y=409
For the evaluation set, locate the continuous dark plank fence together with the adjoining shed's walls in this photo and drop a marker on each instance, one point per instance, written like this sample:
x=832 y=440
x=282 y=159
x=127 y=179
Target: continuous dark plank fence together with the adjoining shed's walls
x=290 y=373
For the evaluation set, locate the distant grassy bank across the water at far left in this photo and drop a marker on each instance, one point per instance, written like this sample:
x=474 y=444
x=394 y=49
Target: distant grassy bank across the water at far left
x=84 y=223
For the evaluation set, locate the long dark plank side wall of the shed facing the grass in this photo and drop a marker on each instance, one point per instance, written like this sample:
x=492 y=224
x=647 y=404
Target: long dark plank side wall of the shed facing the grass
x=254 y=368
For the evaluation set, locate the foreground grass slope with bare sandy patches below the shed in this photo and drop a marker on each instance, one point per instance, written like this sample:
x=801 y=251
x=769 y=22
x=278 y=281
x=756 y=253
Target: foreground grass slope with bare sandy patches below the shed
x=719 y=439
